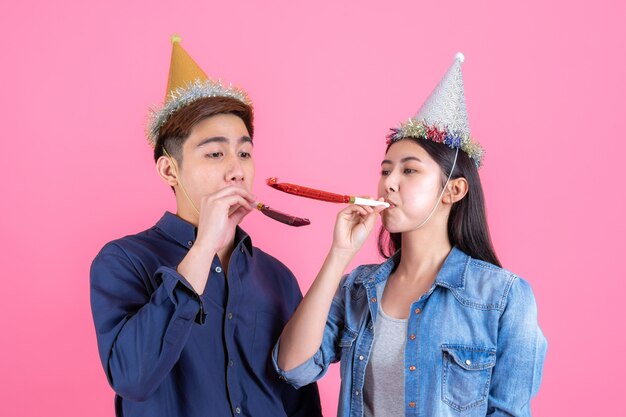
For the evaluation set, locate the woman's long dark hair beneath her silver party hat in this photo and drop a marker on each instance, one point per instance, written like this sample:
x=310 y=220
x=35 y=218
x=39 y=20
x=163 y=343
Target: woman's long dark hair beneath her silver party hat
x=467 y=224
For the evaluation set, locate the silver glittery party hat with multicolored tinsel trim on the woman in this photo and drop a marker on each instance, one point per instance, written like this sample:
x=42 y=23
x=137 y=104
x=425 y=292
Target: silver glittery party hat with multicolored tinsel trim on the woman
x=443 y=116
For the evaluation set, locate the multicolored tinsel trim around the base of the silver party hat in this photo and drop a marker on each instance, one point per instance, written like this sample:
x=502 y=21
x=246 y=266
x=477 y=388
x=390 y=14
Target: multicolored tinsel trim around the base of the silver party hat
x=418 y=129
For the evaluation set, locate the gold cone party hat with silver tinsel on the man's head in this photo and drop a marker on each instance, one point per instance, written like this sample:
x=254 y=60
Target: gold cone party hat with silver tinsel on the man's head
x=186 y=83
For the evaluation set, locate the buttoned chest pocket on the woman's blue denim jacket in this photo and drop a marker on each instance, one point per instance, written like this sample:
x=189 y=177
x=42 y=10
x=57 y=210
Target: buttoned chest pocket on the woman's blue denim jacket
x=466 y=375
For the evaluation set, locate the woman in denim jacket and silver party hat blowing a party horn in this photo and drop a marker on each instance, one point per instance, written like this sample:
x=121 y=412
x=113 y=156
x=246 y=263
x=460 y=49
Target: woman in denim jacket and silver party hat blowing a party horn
x=439 y=329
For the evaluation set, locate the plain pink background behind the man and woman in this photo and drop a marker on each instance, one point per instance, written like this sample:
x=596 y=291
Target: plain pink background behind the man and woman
x=545 y=90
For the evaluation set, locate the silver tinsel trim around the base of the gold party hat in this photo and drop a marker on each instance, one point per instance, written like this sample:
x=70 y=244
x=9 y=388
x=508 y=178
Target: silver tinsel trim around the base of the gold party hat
x=181 y=97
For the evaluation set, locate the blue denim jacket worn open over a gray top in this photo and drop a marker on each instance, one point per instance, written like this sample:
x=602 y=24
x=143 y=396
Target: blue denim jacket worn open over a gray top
x=473 y=345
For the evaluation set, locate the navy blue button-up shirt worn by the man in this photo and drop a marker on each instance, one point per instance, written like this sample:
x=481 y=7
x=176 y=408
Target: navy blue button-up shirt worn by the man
x=168 y=351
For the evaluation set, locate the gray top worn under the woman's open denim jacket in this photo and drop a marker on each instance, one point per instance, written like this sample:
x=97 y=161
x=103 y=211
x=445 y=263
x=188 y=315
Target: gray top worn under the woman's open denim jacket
x=383 y=389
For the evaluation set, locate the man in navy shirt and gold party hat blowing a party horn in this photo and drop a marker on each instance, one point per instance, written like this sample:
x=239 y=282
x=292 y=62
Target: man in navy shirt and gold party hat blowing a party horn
x=186 y=312
